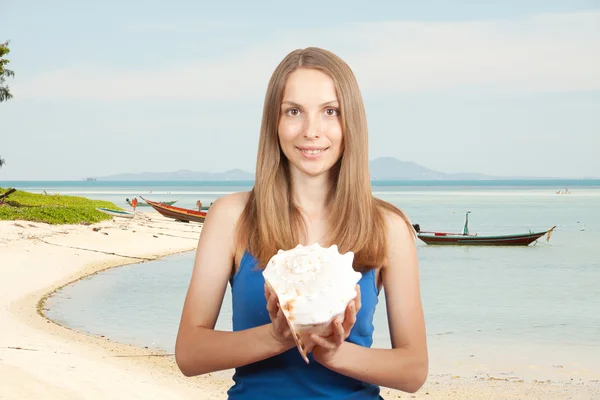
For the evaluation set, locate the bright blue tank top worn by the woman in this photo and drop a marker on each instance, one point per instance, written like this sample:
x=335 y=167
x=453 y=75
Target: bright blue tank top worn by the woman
x=287 y=376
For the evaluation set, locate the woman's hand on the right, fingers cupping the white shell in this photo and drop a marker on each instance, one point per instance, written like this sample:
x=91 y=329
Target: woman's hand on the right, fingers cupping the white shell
x=326 y=347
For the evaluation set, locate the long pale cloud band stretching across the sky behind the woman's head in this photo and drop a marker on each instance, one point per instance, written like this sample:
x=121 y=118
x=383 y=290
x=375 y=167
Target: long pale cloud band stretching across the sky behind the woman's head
x=547 y=52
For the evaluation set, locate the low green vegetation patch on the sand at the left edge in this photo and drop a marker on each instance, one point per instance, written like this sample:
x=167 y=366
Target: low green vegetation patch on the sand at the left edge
x=53 y=208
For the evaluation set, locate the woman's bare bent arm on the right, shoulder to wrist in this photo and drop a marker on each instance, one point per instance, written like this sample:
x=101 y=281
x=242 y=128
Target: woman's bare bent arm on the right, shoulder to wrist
x=405 y=366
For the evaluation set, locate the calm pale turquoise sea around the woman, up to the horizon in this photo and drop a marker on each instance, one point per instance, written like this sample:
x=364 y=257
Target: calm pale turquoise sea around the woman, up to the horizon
x=510 y=312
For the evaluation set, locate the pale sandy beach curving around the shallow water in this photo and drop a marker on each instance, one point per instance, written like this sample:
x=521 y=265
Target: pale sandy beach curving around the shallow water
x=40 y=359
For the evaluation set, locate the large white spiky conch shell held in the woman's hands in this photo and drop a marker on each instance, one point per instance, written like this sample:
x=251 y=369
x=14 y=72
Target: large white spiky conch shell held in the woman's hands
x=313 y=285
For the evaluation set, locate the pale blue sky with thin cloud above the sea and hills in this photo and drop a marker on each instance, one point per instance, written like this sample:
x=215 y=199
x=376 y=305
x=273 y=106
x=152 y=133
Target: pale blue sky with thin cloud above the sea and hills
x=501 y=88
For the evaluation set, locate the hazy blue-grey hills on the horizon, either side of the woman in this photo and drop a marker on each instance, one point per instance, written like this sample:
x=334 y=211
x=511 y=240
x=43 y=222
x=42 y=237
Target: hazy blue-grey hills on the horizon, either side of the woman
x=382 y=169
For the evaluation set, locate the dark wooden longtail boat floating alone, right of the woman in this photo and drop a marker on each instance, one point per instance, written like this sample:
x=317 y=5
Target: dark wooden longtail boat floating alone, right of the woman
x=466 y=238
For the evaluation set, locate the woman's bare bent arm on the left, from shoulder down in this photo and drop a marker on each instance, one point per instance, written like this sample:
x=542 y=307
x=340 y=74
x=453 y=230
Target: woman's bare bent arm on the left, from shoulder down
x=200 y=349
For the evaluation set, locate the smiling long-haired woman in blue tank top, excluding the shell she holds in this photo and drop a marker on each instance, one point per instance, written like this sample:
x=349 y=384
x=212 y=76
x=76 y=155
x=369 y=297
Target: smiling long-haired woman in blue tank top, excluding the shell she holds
x=312 y=185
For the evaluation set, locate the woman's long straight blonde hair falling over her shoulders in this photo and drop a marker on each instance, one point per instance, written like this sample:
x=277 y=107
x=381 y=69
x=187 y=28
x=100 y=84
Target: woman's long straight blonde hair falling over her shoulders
x=271 y=221
